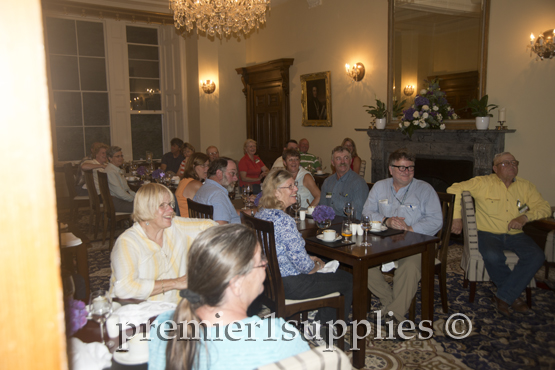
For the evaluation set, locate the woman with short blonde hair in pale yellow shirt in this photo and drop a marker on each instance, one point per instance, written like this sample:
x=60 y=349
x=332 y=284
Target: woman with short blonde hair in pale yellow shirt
x=148 y=259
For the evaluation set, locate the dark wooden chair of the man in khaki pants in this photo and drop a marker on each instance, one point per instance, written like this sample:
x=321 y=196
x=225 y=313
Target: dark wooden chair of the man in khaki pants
x=447 y=202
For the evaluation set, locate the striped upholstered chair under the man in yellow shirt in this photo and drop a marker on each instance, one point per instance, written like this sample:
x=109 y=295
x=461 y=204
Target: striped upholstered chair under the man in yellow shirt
x=472 y=262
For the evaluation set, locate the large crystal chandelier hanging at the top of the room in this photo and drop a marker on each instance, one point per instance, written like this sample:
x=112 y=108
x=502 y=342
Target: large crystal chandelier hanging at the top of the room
x=221 y=17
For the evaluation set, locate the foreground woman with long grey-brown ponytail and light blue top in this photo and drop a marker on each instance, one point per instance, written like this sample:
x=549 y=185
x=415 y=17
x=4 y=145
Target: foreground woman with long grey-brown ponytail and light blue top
x=219 y=299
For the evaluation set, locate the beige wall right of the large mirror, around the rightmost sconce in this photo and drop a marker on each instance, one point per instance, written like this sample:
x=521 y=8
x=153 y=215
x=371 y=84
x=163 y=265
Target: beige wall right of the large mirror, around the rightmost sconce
x=524 y=87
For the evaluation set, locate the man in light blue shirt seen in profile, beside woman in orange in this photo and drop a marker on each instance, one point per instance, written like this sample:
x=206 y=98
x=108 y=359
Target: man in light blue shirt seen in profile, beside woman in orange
x=221 y=173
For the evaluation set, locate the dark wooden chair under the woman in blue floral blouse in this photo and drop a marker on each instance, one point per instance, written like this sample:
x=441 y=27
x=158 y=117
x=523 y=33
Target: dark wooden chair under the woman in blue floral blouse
x=274 y=295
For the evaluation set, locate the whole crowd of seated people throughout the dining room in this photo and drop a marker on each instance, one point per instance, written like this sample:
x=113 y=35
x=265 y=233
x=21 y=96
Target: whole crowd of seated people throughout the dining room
x=166 y=258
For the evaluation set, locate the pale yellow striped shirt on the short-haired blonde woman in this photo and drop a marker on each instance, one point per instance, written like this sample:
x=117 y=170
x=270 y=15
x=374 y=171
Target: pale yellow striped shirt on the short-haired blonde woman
x=137 y=261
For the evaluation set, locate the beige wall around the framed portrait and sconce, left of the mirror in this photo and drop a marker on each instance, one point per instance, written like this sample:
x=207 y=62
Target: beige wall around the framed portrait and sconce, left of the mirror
x=325 y=38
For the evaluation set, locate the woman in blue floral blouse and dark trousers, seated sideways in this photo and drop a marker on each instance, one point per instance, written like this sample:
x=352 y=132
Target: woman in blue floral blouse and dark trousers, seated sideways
x=297 y=268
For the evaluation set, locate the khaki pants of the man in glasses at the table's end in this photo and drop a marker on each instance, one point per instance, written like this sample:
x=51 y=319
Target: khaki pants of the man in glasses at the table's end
x=405 y=285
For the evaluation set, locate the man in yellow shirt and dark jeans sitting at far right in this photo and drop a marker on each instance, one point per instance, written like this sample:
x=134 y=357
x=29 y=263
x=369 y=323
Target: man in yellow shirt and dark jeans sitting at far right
x=504 y=203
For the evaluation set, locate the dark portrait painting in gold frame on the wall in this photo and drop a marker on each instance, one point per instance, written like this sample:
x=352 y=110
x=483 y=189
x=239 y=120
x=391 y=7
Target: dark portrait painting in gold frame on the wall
x=316 y=99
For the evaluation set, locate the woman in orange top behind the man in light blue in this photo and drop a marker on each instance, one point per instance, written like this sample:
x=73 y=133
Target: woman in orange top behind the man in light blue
x=193 y=178
